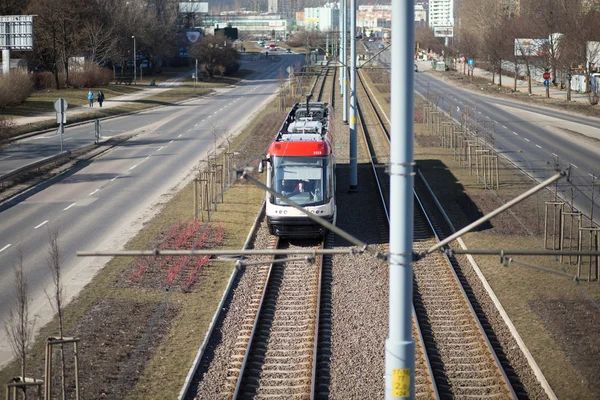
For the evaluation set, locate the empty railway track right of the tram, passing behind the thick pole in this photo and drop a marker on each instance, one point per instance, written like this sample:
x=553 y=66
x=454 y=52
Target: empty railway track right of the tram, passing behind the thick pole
x=462 y=359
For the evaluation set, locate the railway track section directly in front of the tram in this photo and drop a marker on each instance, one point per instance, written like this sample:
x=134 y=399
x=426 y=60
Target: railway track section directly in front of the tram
x=276 y=350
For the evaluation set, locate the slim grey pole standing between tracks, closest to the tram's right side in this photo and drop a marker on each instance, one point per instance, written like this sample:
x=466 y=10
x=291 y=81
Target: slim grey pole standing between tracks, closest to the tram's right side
x=353 y=110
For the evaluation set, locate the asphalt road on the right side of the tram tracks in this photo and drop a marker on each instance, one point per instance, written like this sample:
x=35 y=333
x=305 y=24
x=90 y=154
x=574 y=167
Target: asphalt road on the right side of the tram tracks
x=531 y=137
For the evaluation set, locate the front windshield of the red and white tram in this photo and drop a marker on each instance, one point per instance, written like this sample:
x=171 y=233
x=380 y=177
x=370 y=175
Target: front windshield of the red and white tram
x=300 y=179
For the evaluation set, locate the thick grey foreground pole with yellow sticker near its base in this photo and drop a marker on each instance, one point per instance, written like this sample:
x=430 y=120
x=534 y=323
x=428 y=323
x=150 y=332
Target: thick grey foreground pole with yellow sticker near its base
x=400 y=346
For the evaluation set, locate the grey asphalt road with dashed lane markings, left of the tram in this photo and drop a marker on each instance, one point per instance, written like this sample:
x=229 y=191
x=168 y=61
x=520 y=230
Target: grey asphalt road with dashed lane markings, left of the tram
x=100 y=205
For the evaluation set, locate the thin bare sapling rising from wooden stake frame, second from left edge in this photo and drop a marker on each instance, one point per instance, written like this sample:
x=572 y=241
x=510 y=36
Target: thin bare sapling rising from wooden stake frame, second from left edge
x=54 y=261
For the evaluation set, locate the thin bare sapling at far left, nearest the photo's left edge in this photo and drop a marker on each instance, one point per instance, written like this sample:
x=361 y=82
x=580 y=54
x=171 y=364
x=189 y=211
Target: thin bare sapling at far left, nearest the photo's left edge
x=19 y=326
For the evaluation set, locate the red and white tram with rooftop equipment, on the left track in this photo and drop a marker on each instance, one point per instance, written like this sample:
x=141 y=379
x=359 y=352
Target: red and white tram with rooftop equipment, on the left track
x=301 y=167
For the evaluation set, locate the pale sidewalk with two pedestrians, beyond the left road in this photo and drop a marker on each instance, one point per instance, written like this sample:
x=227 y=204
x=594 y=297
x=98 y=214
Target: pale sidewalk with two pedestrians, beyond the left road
x=108 y=102
